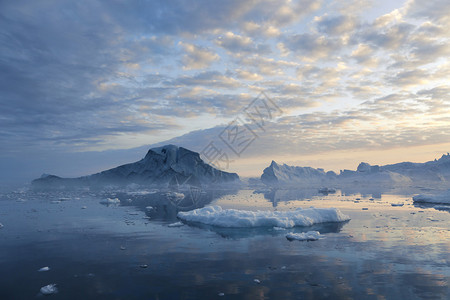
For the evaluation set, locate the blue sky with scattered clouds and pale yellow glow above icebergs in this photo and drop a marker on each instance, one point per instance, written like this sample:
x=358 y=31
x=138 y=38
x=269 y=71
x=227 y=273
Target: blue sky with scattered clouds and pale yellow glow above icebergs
x=88 y=85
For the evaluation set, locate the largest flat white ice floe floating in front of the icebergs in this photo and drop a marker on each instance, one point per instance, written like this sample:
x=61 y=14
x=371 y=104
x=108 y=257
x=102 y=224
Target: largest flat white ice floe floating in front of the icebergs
x=233 y=218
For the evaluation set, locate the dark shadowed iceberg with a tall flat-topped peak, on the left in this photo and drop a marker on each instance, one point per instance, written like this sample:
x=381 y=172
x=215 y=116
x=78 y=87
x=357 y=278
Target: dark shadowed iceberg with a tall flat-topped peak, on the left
x=168 y=165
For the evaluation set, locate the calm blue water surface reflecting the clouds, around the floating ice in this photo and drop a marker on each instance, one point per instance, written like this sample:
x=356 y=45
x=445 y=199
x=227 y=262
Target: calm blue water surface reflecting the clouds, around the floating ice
x=126 y=251
